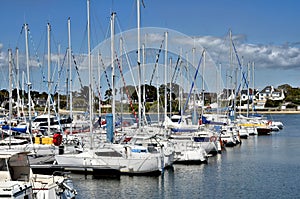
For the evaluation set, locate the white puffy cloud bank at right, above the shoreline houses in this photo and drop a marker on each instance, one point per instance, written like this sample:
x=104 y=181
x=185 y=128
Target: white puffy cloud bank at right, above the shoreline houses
x=285 y=56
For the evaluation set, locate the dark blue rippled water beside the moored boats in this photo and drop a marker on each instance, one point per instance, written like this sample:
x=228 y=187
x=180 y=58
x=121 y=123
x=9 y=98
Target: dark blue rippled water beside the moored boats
x=262 y=167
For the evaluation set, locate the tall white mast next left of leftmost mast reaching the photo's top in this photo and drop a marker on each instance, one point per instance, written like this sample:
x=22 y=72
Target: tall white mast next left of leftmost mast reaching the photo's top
x=70 y=72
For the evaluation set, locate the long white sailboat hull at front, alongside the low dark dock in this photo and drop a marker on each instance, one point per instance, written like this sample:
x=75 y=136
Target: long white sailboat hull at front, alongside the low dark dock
x=127 y=160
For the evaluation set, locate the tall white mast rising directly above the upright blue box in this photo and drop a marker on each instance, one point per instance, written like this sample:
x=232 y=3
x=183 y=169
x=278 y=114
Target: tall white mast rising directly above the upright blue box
x=112 y=49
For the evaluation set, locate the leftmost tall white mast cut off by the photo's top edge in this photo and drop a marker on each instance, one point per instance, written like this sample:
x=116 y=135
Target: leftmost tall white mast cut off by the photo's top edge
x=90 y=75
